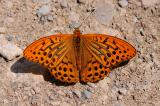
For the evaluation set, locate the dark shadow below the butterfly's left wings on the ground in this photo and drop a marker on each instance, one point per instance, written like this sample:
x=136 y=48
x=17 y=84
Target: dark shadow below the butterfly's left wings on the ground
x=24 y=66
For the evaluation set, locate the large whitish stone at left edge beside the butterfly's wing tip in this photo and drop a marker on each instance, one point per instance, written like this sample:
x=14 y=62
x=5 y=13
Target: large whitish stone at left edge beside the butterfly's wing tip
x=9 y=50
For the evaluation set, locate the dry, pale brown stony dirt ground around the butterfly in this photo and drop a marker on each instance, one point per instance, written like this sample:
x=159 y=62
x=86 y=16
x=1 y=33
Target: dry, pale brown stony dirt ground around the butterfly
x=23 y=83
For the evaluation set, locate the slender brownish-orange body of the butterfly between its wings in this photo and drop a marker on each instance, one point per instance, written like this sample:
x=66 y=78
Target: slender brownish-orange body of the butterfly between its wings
x=76 y=44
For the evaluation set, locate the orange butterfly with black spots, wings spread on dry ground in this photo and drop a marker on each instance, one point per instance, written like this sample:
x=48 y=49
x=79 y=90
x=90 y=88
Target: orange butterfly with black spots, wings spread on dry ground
x=80 y=57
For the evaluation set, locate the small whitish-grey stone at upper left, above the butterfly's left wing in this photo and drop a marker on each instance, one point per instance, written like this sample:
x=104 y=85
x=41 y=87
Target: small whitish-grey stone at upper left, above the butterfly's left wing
x=43 y=10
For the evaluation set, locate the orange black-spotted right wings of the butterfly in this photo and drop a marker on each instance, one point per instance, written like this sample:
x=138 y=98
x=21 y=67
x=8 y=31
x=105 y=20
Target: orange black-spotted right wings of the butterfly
x=101 y=53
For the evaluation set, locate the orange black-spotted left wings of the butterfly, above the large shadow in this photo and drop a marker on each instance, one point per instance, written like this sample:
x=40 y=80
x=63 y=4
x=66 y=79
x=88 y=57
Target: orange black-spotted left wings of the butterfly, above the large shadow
x=54 y=53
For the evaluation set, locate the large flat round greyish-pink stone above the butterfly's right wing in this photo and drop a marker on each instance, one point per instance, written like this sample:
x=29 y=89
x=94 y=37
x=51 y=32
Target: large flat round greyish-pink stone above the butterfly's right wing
x=104 y=13
